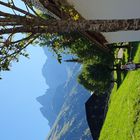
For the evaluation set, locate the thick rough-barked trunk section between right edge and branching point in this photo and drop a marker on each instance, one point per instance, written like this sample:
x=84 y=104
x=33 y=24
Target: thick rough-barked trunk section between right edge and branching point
x=94 y=25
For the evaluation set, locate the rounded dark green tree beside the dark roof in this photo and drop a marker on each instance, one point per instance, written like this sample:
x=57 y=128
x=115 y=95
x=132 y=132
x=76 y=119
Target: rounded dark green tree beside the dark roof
x=95 y=77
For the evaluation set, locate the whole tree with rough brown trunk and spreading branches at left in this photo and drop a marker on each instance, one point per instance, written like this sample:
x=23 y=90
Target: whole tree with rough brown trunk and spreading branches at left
x=34 y=25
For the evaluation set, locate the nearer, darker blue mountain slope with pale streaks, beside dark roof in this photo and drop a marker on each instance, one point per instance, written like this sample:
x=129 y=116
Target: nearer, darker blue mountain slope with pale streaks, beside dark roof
x=71 y=120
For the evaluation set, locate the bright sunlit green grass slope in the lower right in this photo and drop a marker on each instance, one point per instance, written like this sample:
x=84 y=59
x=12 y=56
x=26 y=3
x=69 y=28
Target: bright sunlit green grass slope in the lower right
x=123 y=117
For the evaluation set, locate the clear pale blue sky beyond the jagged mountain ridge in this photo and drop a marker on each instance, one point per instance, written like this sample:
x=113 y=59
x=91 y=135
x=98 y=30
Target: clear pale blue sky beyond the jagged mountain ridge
x=20 y=117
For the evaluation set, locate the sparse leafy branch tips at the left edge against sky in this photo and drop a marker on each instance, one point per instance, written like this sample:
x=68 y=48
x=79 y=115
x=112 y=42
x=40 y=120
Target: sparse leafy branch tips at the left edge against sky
x=11 y=49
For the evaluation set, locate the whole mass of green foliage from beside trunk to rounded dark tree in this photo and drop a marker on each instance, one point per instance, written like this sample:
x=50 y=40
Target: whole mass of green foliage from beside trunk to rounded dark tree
x=95 y=74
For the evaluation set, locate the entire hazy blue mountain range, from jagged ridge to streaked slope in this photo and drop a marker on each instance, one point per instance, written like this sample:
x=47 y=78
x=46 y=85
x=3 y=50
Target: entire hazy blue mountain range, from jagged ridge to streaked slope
x=63 y=104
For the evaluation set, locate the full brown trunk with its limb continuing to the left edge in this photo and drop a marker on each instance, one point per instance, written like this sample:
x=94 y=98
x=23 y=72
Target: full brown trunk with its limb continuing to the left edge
x=53 y=26
